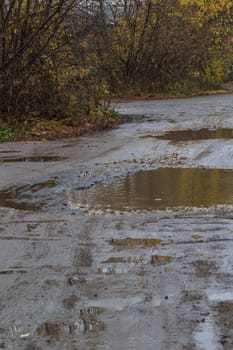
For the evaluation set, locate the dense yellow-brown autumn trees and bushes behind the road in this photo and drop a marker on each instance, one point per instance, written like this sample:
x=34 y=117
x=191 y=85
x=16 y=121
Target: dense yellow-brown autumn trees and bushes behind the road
x=62 y=57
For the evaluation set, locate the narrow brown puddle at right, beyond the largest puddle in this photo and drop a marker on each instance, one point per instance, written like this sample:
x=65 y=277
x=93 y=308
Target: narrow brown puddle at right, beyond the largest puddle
x=197 y=134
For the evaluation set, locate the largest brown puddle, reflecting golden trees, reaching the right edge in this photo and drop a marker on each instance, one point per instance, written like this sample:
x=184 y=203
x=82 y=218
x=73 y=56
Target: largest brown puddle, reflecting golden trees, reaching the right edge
x=192 y=187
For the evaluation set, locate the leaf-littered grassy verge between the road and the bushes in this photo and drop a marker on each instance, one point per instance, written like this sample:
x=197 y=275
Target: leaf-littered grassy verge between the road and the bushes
x=35 y=128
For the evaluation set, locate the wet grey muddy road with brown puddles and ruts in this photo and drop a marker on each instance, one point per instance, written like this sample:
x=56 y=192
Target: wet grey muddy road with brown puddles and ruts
x=122 y=239
